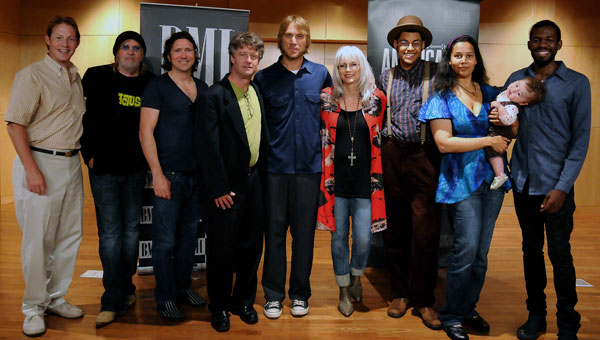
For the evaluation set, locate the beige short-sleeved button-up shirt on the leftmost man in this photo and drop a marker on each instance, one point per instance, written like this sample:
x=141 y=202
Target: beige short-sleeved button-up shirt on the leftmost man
x=49 y=105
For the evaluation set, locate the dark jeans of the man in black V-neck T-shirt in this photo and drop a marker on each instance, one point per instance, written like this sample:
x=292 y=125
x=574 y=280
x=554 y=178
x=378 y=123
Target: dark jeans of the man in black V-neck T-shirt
x=174 y=234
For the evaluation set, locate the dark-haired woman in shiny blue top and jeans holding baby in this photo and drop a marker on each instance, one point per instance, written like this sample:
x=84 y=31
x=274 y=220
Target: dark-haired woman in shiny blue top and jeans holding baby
x=458 y=115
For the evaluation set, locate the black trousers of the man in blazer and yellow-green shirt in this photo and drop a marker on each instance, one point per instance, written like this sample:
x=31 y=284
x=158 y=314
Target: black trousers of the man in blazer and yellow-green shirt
x=234 y=245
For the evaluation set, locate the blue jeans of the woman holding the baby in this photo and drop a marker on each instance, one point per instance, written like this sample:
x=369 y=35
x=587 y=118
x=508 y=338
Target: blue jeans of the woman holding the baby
x=474 y=219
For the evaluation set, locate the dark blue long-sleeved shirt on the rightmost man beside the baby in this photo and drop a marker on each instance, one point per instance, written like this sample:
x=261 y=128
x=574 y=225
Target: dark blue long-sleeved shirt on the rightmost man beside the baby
x=554 y=134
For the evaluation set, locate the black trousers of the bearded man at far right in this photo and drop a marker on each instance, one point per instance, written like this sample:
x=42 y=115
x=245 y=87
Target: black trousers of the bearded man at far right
x=558 y=228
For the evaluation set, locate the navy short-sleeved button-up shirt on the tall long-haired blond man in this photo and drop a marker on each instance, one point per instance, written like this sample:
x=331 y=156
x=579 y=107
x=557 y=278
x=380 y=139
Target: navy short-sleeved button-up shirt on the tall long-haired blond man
x=292 y=106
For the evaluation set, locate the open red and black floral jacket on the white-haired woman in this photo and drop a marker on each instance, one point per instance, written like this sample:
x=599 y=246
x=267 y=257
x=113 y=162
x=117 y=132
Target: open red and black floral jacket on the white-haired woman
x=373 y=113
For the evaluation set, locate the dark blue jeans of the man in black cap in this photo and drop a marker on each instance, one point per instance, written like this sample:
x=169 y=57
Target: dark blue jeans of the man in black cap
x=118 y=201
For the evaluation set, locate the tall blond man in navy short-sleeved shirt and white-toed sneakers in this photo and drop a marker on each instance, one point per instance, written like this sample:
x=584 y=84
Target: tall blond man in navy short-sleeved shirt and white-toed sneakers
x=291 y=88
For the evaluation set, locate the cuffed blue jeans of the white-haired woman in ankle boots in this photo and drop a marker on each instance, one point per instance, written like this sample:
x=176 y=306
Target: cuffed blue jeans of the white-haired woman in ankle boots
x=360 y=211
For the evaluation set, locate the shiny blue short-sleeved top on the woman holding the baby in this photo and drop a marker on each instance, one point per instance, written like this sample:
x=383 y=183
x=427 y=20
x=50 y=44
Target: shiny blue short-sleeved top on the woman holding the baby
x=462 y=173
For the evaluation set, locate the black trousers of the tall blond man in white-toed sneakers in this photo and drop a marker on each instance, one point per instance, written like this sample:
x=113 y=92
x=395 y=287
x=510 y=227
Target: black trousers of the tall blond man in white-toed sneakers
x=291 y=200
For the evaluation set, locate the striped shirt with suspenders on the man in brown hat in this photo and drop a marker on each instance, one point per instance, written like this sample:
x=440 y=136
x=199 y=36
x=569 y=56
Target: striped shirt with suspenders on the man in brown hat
x=405 y=100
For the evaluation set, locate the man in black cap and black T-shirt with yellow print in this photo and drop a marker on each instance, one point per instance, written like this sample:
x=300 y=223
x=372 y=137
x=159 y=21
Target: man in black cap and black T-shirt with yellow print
x=111 y=149
